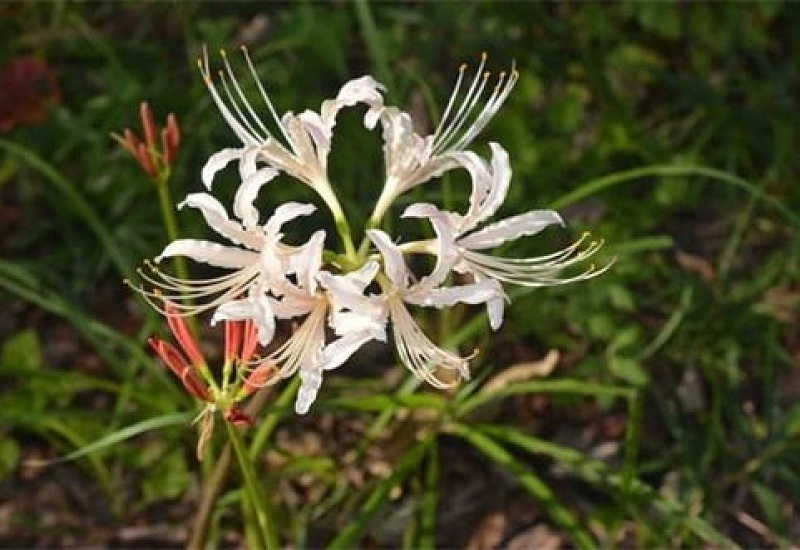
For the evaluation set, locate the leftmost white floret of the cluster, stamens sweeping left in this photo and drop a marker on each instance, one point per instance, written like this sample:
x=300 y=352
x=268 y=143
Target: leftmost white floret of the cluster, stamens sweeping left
x=258 y=262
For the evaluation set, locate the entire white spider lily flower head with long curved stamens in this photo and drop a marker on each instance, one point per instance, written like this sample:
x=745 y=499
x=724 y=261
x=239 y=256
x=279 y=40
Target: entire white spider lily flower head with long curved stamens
x=339 y=301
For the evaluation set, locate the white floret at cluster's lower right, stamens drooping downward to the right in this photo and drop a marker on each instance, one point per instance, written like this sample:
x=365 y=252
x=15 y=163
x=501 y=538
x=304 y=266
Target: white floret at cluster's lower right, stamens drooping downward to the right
x=421 y=356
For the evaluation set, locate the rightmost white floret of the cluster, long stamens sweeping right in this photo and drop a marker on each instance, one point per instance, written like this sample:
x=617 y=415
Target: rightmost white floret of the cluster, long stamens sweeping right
x=458 y=238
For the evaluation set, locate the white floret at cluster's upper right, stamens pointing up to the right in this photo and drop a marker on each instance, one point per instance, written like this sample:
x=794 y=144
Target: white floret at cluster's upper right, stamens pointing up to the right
x=412 y=159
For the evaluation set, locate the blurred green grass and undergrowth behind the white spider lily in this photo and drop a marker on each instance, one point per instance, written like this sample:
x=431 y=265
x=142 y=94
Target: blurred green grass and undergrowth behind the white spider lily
x=669 y=131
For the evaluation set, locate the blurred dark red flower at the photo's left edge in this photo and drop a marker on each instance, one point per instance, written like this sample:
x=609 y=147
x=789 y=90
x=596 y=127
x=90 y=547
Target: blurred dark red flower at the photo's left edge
x=27 y=87
